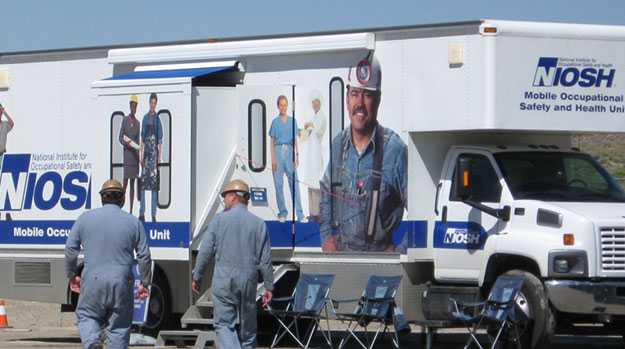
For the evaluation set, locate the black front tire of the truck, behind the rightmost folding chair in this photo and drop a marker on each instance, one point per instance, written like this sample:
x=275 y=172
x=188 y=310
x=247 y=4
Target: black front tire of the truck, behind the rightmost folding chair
x=542 y=322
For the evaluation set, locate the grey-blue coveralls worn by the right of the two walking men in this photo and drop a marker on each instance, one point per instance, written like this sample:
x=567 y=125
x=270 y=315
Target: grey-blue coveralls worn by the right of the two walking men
x=238 y=243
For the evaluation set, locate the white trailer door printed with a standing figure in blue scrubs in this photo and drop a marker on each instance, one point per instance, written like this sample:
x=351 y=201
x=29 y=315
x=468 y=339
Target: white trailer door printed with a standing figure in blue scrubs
x=271 y=196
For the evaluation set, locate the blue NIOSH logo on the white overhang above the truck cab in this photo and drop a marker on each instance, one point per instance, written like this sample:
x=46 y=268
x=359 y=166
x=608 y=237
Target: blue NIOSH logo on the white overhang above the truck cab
x=552 y=71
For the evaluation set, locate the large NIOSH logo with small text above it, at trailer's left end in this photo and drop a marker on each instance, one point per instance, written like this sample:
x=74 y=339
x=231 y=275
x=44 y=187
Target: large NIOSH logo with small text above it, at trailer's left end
x=45 y=181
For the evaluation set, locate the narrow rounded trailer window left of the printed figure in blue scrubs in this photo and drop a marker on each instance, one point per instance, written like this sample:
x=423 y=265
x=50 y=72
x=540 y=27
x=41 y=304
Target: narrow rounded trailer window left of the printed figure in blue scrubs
x=257 y=142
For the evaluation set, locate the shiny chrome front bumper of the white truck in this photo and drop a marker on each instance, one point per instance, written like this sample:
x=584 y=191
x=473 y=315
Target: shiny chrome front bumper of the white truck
x=587 y=297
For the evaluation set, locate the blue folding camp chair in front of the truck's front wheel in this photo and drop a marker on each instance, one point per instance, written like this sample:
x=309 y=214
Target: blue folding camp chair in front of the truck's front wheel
x=498 y=311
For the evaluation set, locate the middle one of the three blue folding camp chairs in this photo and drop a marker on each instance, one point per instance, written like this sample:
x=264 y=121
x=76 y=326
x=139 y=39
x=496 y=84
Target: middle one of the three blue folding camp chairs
x=376 y=305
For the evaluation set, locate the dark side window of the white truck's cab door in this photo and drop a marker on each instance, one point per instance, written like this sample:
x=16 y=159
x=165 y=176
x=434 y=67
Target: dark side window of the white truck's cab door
x=485 y=186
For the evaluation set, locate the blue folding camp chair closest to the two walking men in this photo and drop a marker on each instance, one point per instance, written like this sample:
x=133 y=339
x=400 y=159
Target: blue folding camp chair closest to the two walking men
x=309 y=299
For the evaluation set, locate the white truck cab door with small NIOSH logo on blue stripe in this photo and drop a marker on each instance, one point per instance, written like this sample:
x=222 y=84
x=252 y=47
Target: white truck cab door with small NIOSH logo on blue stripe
x=462 y=233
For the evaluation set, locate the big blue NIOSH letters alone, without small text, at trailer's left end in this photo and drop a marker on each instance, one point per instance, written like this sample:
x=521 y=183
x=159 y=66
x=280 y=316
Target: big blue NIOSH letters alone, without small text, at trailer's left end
x=21 y=189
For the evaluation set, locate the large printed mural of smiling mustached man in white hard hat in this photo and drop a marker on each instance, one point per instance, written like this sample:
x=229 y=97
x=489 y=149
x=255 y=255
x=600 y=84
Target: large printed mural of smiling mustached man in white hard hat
x=364 y=186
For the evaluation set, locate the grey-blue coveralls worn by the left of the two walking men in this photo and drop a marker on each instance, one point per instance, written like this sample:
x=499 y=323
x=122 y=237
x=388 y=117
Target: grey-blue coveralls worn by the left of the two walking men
x=109 y=237
